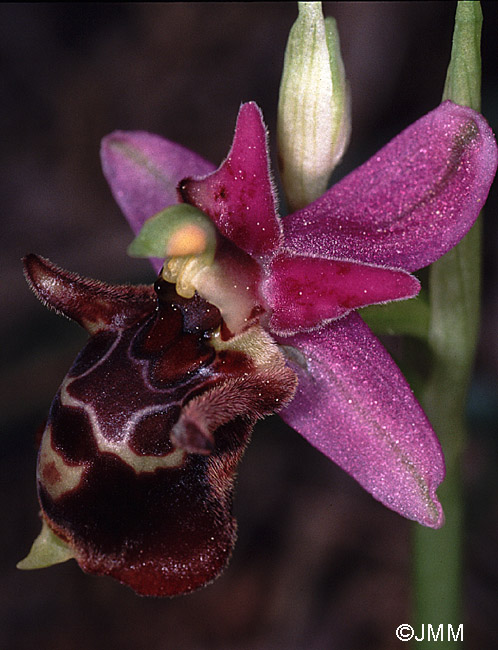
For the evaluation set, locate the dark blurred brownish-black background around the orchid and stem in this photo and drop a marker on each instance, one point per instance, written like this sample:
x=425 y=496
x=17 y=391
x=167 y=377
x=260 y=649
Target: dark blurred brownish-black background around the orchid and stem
x=319 y=564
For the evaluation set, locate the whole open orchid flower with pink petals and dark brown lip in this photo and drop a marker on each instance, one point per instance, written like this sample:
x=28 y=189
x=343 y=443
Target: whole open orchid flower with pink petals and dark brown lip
x=251 y=314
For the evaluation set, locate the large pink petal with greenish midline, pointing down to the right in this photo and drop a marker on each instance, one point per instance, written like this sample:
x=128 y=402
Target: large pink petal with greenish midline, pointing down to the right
x=354 y=405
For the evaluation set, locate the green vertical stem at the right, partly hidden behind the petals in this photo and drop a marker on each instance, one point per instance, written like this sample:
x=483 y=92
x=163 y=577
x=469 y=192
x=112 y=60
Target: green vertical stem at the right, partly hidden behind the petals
x=454 y=298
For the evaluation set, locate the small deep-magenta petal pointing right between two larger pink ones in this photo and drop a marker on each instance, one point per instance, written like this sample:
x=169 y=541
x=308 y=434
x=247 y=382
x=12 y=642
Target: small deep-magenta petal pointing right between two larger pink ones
x=303 y=292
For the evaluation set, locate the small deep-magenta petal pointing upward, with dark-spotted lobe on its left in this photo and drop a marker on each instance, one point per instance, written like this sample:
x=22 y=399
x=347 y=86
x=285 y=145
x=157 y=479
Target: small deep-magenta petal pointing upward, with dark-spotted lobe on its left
x=239 y=195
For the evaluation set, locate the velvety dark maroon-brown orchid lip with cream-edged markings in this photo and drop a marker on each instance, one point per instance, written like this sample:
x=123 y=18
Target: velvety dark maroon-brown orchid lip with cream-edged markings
x=138 y=457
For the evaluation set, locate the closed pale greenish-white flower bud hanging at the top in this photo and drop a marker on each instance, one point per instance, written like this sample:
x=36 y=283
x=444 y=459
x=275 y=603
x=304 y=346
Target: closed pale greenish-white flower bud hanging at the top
x=314 y=108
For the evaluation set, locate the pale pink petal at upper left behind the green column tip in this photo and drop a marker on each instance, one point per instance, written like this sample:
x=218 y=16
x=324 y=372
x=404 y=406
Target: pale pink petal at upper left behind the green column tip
x=144 y=170
